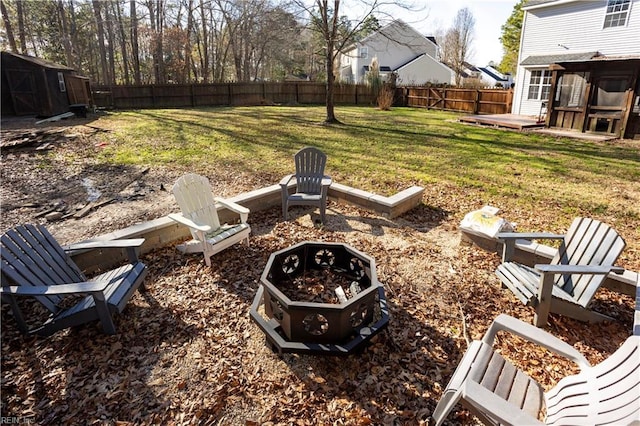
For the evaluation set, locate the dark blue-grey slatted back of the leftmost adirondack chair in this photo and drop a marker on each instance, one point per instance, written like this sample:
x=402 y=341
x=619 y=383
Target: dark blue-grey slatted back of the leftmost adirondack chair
x=31 y=256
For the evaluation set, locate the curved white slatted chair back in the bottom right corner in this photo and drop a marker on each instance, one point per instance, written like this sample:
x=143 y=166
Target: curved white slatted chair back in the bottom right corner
x=607 y=393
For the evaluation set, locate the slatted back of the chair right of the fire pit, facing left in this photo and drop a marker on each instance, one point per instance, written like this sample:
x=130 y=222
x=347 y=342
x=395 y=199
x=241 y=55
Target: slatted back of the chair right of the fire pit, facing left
x=587 y=242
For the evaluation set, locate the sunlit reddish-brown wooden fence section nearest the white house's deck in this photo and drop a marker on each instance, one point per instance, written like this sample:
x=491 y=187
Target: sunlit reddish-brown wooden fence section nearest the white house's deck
x=474 y=101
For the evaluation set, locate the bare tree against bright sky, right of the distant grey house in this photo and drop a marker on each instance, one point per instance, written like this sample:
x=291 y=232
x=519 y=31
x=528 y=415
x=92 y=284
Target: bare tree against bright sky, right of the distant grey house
x=457 y=42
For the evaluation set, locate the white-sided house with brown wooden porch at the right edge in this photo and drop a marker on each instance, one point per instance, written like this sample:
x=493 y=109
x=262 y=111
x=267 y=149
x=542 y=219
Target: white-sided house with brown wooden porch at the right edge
x=579 y=65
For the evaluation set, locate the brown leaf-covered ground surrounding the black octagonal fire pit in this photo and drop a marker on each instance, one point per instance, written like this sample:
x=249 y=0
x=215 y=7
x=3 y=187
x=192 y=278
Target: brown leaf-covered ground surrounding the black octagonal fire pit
x=187 y=351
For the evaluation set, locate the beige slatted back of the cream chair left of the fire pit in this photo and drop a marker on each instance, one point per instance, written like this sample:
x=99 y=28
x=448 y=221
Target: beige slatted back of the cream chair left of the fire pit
x=194 y=196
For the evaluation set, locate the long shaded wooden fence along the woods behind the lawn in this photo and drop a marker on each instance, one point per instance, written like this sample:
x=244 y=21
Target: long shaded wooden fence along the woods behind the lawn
x=225 y=94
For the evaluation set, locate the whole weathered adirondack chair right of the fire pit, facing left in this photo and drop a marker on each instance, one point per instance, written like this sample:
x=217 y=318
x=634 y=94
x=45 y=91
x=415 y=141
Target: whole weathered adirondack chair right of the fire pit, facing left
x=566 y=286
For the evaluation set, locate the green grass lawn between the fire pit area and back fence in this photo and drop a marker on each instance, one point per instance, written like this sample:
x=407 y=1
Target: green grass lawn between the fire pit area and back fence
x=540 y=182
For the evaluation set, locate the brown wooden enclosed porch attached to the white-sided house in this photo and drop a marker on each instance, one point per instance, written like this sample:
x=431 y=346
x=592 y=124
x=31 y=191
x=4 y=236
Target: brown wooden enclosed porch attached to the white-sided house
x=601 y=95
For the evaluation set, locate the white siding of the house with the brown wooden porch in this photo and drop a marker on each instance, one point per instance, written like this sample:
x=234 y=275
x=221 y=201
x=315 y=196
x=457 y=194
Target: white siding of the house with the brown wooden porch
x=571 y=27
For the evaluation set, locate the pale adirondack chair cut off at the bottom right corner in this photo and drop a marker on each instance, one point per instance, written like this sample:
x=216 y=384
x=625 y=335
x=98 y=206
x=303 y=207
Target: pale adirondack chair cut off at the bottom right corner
x=497 y=392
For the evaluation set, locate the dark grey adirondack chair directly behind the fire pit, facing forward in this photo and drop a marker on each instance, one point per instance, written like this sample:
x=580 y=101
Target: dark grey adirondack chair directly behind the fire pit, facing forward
x=312 y=185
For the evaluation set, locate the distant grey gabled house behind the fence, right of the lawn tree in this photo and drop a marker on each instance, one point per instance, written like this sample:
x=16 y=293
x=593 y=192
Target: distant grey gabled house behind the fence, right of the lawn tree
x=401 y=50
